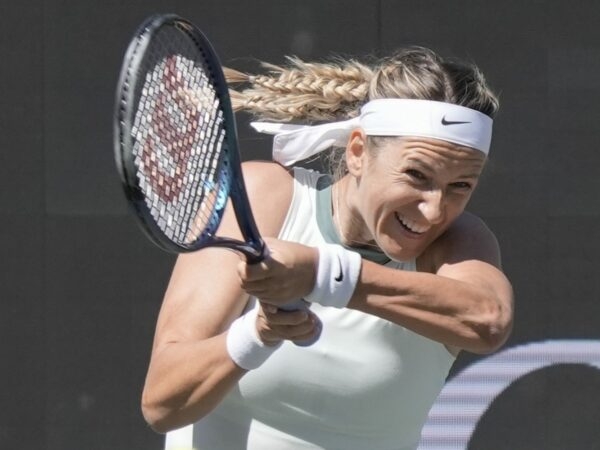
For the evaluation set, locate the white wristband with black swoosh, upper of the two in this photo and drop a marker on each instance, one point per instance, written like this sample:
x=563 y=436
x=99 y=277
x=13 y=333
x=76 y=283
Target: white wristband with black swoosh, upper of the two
x=337 y=274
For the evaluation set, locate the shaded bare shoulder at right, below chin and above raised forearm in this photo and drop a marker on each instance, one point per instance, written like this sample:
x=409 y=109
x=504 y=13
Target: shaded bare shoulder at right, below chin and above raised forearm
x=468 y=238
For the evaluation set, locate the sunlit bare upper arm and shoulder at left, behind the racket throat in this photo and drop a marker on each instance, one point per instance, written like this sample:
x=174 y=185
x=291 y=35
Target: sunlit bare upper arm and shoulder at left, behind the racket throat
x=204 y=294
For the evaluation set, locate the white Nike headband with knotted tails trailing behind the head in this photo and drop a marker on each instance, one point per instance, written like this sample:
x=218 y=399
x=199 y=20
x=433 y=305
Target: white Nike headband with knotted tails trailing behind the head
x=383 y=117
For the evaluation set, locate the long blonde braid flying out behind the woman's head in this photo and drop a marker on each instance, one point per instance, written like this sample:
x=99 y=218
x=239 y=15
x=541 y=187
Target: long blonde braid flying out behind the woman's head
x=303 y=91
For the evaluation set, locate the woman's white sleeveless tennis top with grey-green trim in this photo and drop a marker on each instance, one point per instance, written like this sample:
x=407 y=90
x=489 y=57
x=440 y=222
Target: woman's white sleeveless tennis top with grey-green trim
x=366 y=384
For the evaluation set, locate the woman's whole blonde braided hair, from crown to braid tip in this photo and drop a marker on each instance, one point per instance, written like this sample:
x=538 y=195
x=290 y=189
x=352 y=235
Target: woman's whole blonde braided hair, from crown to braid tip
x=309 y=92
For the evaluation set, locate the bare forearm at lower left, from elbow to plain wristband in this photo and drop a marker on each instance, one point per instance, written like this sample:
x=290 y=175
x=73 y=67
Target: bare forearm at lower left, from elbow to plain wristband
x=186 y=380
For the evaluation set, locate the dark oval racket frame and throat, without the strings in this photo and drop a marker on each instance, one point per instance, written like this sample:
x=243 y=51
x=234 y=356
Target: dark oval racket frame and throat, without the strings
x=253 y=246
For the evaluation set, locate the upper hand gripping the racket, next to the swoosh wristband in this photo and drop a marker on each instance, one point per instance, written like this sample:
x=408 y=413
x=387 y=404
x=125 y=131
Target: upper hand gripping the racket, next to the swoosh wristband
x=288 y=273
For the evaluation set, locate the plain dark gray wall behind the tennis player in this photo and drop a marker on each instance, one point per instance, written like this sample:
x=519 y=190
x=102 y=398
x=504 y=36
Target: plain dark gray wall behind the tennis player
x=81 y=287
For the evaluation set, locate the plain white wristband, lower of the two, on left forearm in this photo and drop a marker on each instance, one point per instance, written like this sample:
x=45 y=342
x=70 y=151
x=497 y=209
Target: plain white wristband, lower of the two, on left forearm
x=243 y=344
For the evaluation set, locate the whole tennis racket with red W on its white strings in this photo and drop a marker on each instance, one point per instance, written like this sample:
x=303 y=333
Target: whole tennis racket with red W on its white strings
x=175 y=143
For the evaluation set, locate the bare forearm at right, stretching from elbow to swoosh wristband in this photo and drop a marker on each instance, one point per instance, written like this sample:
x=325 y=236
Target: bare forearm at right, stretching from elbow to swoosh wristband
x=469 y=316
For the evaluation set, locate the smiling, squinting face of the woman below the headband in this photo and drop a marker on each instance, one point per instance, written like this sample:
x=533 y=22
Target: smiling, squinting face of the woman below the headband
x=409 y=191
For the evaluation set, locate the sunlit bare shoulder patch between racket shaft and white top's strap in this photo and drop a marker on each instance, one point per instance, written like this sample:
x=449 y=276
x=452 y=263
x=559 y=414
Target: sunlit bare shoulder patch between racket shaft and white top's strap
x=270 y=188
